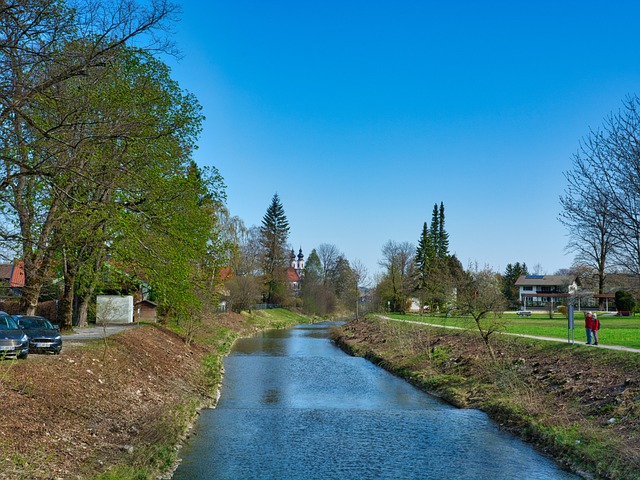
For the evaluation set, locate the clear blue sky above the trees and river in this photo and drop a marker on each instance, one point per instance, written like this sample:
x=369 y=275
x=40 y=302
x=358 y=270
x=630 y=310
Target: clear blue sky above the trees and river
x=363 y=114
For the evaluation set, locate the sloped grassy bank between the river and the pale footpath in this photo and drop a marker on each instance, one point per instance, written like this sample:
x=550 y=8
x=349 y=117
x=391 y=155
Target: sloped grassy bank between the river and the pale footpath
x=578 y=404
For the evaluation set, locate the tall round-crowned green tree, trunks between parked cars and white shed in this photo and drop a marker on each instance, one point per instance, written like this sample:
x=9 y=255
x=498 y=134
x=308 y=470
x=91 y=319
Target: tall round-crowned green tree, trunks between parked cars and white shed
x=133 y=155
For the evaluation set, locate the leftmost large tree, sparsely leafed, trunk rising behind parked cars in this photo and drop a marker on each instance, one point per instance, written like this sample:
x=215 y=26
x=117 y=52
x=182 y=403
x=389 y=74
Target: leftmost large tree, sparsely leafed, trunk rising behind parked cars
x=47 y=49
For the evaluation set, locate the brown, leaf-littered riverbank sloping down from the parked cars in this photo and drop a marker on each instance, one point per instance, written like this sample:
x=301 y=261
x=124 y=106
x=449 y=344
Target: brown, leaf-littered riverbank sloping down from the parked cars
x=115 y=412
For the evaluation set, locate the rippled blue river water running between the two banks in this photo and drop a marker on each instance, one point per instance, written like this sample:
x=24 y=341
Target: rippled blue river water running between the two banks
x=294 y=406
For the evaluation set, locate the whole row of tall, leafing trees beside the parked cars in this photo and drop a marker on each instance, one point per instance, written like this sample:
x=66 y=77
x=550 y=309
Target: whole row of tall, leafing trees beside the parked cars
x=98 y=187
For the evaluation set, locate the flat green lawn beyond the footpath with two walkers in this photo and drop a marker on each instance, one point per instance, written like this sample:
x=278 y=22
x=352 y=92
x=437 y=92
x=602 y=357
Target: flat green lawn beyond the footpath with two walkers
x=623 y=331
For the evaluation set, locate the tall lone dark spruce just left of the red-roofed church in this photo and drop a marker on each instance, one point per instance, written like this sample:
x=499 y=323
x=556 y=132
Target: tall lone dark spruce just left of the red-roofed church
x=273 y=238
